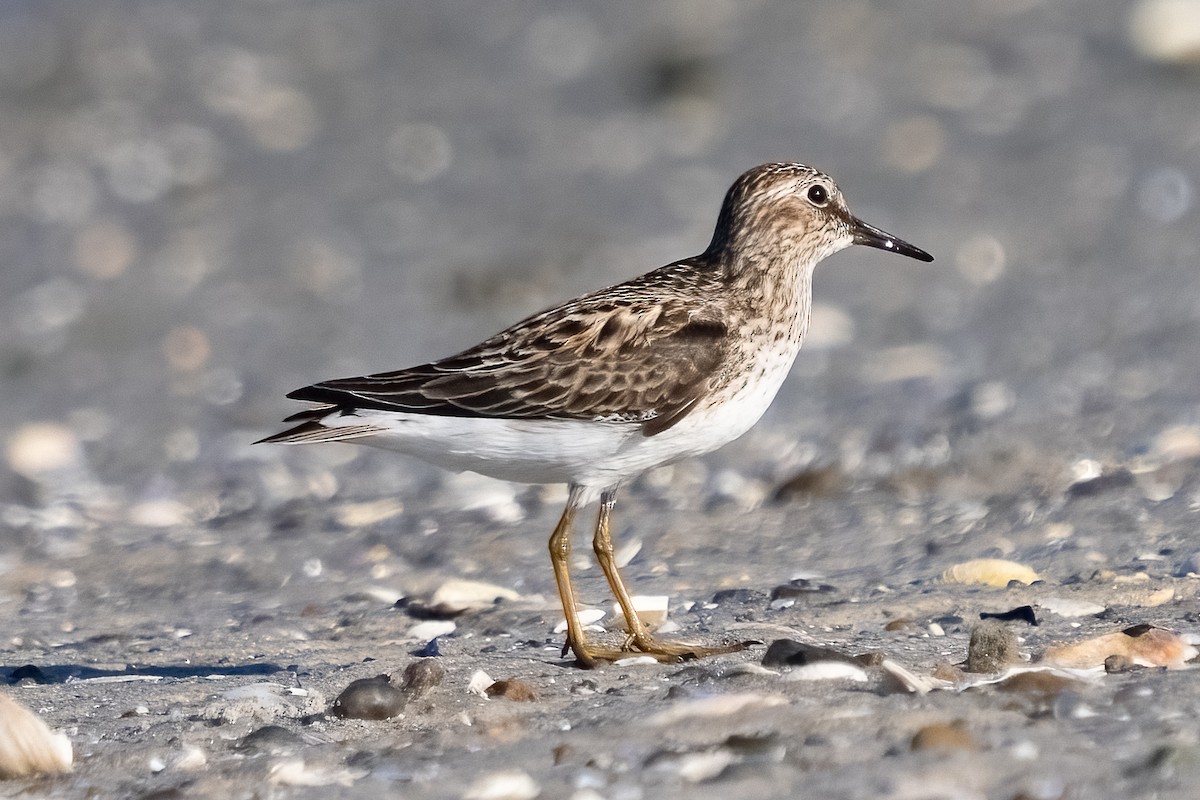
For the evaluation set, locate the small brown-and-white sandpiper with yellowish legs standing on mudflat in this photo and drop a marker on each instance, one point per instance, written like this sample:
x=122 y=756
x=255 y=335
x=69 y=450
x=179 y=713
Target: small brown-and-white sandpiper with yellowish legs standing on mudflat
x=592 y=393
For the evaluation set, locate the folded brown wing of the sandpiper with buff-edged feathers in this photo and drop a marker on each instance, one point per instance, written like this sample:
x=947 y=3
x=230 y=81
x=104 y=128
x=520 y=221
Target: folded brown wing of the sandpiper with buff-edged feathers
x=622 y=354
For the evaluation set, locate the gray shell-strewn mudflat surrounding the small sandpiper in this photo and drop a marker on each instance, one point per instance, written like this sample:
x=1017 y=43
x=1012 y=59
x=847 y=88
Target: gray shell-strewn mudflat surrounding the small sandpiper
x=203 y=208
